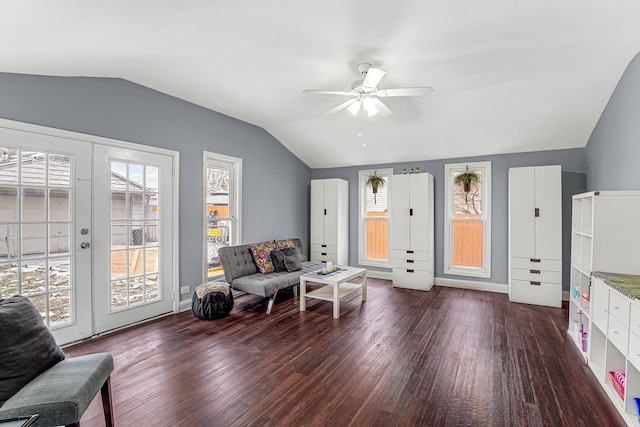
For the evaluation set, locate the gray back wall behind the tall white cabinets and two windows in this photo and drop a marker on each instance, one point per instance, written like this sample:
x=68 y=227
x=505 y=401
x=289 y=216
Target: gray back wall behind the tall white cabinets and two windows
x=573 y=182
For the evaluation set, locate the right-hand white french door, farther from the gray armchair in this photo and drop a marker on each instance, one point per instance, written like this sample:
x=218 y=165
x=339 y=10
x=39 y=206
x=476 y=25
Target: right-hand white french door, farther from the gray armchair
x=133 y=202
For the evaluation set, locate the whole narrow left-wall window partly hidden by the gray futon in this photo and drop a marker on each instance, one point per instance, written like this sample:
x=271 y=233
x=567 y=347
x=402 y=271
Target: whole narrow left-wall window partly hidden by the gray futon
x=222 y=184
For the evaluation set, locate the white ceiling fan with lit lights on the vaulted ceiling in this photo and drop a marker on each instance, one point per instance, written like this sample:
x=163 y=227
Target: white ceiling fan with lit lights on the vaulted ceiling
x=366 y=94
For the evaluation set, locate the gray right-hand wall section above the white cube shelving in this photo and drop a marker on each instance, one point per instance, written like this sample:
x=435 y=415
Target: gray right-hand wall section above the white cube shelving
x=613 y=150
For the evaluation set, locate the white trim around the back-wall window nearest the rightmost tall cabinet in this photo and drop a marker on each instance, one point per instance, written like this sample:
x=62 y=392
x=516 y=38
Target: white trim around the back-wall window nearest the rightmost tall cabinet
x=449 y=268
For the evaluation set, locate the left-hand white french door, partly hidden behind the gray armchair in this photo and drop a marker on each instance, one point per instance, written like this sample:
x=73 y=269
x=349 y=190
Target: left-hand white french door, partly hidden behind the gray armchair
x=45 y=214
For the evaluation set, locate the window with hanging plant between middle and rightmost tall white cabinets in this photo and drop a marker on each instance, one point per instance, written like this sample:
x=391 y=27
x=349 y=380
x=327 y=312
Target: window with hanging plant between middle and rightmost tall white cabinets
x=467 y=240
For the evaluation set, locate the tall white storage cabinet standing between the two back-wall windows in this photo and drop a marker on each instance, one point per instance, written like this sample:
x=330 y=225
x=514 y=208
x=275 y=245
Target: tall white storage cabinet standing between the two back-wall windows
x=412 y=231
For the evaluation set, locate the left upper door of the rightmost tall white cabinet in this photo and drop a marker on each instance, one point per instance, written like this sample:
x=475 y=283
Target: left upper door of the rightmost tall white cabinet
x=521 y=212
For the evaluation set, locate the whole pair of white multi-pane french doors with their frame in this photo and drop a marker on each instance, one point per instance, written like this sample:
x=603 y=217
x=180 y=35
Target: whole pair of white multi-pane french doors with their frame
x=85 y=230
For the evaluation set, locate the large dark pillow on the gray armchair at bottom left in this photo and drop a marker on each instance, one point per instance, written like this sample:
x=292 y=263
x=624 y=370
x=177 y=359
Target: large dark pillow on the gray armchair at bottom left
x=27 y=348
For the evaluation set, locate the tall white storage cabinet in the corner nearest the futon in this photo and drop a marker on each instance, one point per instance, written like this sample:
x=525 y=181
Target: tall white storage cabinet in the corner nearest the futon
x=330 y=221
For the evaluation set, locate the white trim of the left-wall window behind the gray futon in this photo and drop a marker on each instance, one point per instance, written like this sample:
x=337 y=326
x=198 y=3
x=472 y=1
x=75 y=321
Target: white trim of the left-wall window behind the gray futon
x=208 y=158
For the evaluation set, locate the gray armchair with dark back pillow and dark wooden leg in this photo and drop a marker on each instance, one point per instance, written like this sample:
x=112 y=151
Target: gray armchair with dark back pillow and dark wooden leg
x=35 y=376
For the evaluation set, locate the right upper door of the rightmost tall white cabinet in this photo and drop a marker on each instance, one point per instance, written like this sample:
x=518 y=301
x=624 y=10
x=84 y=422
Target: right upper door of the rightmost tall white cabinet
x=548 y=201
